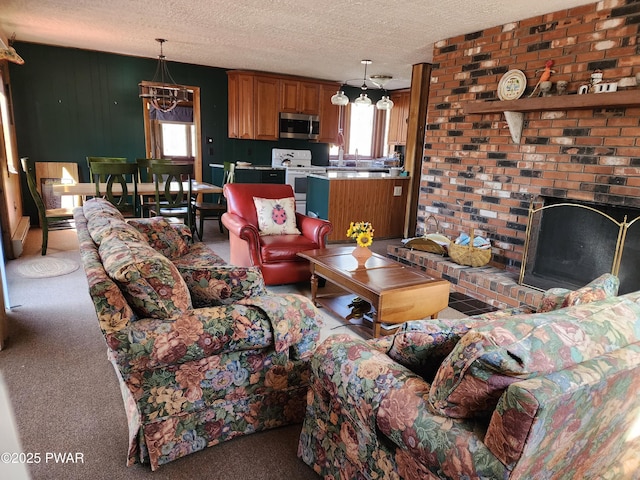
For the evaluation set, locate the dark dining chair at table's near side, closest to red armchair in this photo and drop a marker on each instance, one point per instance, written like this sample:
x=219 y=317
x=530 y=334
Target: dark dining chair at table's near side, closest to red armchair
x=173 y=191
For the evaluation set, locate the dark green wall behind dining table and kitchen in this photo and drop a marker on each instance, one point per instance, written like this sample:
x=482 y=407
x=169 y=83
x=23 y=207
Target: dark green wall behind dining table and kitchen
x=69 y=104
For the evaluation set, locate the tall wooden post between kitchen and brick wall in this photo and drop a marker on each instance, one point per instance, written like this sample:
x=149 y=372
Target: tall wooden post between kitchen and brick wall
x=420 y=82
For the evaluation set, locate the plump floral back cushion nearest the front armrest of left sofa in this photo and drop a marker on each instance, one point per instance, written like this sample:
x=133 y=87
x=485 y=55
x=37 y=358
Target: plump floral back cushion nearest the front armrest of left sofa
x=151 y=284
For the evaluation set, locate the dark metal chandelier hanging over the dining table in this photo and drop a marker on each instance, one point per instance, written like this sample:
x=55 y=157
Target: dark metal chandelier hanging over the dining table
x=163 y=92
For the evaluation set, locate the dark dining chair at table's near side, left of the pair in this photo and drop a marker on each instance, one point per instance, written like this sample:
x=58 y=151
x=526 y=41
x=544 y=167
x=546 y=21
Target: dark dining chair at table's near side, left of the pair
x=122 y=176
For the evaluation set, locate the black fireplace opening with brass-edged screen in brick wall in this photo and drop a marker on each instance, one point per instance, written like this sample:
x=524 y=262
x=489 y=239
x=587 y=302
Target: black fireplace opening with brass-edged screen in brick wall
x=570 y=244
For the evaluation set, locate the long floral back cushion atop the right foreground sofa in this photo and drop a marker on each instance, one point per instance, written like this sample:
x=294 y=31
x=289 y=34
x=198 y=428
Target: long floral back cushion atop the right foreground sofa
x=489 y=358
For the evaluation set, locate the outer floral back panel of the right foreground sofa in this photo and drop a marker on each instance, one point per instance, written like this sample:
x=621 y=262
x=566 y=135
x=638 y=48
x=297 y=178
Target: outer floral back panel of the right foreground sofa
x=589 y=409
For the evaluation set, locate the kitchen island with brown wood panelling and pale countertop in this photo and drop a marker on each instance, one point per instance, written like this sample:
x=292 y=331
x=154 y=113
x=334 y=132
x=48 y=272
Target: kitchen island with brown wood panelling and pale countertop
x=343 y=197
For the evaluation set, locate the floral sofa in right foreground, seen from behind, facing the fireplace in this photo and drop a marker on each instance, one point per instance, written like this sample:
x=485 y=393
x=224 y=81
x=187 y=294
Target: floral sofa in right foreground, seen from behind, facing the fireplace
x=505 y=395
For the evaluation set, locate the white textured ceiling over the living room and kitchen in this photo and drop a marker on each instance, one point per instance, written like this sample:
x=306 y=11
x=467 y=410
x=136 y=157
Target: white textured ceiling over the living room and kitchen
x=320 y=39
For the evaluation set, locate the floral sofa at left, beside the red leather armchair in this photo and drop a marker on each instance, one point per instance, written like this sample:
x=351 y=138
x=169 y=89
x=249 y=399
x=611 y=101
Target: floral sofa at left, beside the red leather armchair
x=202 y=351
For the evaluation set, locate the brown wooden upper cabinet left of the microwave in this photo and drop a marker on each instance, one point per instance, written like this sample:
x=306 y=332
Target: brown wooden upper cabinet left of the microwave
x=253 y=106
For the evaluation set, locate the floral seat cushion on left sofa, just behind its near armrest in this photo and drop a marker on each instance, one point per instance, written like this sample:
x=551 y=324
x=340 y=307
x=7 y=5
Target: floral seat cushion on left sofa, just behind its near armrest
x=221 y=284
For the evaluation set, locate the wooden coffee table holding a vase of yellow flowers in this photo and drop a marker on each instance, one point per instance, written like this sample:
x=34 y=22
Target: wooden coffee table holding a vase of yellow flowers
x=396 y=292
